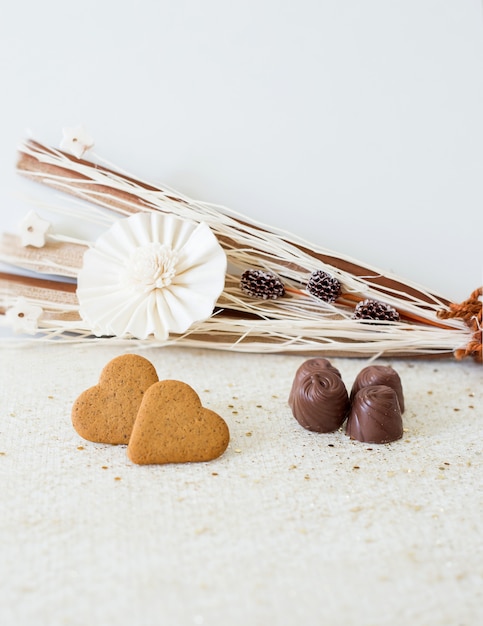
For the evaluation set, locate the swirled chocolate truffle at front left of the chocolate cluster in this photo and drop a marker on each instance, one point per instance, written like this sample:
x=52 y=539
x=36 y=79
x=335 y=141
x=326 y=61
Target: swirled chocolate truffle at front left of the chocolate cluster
x=319 y=400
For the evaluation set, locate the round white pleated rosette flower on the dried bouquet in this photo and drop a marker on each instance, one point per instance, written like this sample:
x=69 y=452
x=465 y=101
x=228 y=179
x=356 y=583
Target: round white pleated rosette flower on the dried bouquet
x=150 y=274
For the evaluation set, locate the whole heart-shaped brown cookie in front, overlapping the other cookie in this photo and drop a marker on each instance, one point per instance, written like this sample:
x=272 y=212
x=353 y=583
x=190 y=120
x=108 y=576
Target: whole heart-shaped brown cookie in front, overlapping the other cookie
x=173 y=427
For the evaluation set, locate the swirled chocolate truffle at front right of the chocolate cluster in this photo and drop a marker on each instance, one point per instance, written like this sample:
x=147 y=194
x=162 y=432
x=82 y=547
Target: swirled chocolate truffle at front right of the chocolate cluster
x=375 y=415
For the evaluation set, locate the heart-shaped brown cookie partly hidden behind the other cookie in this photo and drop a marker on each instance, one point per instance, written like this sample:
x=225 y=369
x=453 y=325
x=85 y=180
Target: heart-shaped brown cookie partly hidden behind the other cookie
x=106 y=412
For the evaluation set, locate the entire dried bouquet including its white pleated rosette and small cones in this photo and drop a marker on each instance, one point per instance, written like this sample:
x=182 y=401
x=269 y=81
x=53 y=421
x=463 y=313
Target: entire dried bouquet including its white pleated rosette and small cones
x=268 y=292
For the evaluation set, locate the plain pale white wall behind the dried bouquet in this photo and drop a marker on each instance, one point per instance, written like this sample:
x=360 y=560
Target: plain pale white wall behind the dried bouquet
x=356 y=124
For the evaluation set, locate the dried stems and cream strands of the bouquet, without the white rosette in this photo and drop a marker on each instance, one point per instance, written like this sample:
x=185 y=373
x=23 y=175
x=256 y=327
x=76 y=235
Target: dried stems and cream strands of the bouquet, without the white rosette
x=329 y=304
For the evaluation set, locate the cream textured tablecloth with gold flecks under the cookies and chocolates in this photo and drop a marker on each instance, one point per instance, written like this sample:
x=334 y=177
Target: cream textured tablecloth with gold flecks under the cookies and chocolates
x=287 y=527
